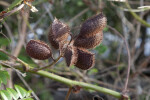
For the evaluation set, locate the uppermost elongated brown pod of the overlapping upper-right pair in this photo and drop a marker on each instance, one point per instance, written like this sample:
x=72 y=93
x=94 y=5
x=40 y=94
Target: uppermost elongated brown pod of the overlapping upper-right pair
x=93 y=25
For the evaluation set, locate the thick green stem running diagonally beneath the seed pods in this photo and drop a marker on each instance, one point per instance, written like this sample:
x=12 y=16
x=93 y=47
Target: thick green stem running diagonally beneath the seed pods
x=65 y=80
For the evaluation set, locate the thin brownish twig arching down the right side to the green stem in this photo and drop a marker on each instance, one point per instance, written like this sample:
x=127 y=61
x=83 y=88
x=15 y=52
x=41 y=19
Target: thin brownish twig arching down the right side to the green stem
x=129 y=59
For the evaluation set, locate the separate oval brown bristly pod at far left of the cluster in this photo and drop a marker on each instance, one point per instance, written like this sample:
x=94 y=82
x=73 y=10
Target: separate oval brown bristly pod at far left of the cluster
x=38 y=50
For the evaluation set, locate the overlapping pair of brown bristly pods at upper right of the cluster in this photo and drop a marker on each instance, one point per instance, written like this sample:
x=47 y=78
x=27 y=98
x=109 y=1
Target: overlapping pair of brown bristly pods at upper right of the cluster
x=91 y=33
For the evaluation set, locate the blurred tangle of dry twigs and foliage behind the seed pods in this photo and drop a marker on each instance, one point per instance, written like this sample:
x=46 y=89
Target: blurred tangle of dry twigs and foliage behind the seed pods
x=111 y=66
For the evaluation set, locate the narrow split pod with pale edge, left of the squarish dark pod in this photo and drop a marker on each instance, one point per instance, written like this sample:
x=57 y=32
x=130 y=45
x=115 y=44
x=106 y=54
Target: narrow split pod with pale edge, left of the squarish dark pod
x=70 y=55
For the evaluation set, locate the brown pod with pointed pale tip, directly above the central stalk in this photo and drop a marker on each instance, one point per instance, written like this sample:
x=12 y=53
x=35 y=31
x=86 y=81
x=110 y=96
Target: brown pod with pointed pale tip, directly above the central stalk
x=58 y=33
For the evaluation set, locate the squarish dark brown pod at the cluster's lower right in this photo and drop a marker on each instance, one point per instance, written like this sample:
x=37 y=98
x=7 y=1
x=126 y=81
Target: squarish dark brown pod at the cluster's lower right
x=85 y=59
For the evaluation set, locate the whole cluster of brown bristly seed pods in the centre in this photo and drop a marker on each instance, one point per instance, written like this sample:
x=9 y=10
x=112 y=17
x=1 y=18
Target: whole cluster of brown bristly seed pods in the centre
x=76 y=53
